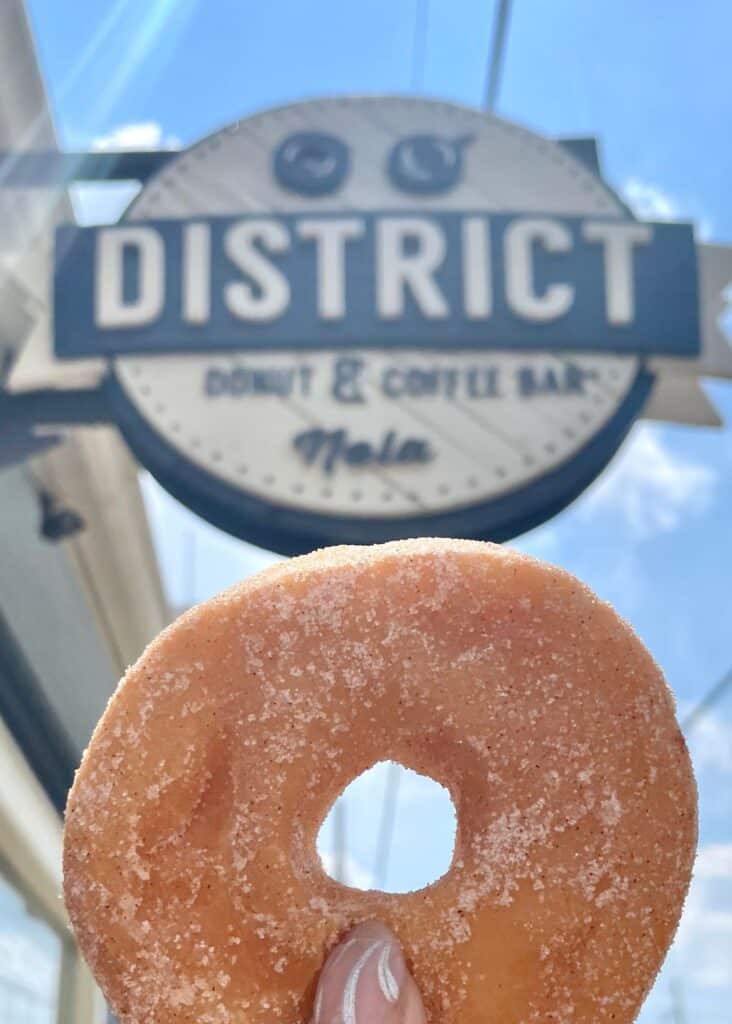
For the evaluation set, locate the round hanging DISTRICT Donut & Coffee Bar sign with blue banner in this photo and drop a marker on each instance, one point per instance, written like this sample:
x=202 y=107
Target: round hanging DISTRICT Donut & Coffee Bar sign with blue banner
x=356 y=320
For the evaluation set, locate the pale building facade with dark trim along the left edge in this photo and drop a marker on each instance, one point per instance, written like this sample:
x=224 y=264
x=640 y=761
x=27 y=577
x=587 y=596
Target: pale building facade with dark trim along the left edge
x=80 y=593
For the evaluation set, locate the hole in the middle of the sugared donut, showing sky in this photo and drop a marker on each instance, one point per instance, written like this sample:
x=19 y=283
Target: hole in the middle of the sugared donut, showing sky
x=392 y=829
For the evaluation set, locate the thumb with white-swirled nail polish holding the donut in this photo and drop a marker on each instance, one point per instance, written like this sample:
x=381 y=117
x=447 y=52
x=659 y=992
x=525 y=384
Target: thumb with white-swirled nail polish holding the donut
x=366 y=982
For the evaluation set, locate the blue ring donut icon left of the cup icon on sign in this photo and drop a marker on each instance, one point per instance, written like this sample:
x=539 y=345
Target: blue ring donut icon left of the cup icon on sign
x=312 y=163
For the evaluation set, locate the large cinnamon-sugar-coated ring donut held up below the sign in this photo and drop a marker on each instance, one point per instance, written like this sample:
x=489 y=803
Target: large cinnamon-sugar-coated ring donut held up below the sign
x=192 y=877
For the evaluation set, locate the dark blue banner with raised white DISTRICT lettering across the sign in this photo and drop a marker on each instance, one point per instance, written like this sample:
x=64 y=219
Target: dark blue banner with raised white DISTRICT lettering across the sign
x=446 y=281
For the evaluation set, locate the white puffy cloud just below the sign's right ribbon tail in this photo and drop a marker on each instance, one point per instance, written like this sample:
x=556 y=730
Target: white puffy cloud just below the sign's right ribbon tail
x=651 y=487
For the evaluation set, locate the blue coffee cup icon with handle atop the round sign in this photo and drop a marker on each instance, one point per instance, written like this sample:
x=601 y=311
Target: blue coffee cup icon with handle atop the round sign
x=427 y=165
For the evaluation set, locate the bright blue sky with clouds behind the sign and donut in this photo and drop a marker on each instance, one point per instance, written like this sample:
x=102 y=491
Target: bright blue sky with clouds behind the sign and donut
x=653 y=535
